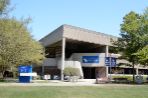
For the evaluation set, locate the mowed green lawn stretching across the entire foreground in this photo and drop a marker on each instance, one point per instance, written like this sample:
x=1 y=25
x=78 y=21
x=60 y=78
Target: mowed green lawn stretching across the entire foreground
x=74 y=92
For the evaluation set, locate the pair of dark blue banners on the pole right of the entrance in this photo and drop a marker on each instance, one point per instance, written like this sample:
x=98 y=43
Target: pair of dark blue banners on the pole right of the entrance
x=110 y=61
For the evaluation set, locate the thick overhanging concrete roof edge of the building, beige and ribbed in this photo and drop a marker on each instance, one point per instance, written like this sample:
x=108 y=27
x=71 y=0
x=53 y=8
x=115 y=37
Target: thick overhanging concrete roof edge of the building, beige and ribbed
x=78 y=34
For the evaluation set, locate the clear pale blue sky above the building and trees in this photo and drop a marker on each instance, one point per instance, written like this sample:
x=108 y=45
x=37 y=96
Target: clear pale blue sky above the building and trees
x=98 y=15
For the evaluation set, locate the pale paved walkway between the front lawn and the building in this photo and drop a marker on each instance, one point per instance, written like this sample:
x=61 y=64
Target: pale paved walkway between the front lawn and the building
x=61 y=83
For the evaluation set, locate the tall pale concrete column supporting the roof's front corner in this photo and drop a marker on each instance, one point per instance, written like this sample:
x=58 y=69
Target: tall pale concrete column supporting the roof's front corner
x=63 y=57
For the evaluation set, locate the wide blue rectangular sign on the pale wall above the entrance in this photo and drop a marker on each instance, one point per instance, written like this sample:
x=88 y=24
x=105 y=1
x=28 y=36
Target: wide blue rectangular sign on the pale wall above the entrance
x=90 y=59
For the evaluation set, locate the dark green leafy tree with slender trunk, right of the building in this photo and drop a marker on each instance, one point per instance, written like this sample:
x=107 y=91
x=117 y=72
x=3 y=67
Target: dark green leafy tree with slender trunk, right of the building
x=134 y=36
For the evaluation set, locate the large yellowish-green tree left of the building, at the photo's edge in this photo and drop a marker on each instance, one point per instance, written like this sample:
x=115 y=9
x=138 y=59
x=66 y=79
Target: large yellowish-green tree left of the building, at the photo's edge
x=17 y=47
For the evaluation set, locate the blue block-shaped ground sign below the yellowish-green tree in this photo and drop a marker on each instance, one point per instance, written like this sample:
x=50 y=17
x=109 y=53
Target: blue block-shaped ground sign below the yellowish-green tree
x=24 y=78
